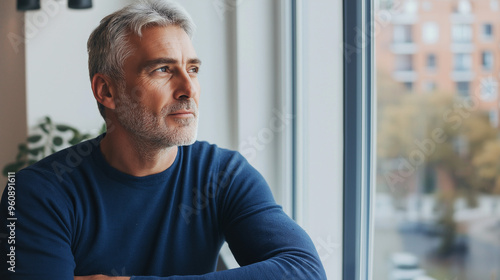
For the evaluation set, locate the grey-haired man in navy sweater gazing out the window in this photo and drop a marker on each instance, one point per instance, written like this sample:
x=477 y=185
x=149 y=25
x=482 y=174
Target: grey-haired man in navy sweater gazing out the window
x=145 y=200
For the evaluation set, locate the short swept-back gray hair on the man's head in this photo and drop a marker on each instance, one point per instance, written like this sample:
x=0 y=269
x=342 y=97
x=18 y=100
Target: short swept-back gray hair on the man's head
x=108 y=46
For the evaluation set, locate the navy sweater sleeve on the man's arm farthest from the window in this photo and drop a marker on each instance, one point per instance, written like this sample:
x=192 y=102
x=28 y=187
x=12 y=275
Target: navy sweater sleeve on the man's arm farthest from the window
x=35 y=236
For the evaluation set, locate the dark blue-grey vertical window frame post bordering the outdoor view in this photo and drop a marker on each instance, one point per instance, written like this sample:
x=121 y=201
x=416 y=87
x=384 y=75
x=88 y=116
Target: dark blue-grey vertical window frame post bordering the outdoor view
x=358 y=135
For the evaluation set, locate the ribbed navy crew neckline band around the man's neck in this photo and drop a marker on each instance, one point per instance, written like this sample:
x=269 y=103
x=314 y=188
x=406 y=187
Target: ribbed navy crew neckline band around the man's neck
x=131 y=180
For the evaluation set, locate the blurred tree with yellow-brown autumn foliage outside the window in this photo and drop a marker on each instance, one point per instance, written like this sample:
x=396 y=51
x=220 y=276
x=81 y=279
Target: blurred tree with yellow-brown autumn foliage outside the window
x=435 y=135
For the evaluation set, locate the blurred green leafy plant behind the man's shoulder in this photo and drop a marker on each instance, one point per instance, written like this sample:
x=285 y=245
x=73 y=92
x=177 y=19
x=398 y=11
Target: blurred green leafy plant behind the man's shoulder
x=46 y=139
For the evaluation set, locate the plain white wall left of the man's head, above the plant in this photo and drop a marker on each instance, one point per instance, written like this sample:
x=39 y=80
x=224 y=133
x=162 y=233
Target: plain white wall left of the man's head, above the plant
x=56 y=62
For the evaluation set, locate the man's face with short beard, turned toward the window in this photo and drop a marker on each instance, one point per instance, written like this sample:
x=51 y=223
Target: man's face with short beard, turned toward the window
x=159 y=101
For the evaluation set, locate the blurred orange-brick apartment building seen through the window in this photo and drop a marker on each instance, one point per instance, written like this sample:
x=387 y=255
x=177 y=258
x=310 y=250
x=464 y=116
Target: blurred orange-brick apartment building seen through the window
x=446 y=46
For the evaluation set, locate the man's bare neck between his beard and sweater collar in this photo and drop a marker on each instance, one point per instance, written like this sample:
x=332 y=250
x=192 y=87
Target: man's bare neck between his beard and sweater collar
x=135 y=157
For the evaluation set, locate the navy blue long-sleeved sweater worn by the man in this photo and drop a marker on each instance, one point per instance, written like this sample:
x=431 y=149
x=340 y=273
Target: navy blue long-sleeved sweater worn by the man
x=74 y=214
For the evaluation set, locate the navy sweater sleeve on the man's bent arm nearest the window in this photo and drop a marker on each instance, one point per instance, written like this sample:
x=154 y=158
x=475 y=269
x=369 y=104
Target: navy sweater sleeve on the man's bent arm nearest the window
x=264 y=240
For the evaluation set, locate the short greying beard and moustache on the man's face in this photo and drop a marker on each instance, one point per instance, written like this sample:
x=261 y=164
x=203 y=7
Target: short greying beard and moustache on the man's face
x=150 y=130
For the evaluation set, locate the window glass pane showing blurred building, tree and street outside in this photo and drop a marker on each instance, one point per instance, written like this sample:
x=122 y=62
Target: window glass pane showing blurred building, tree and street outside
x=437 y=204
